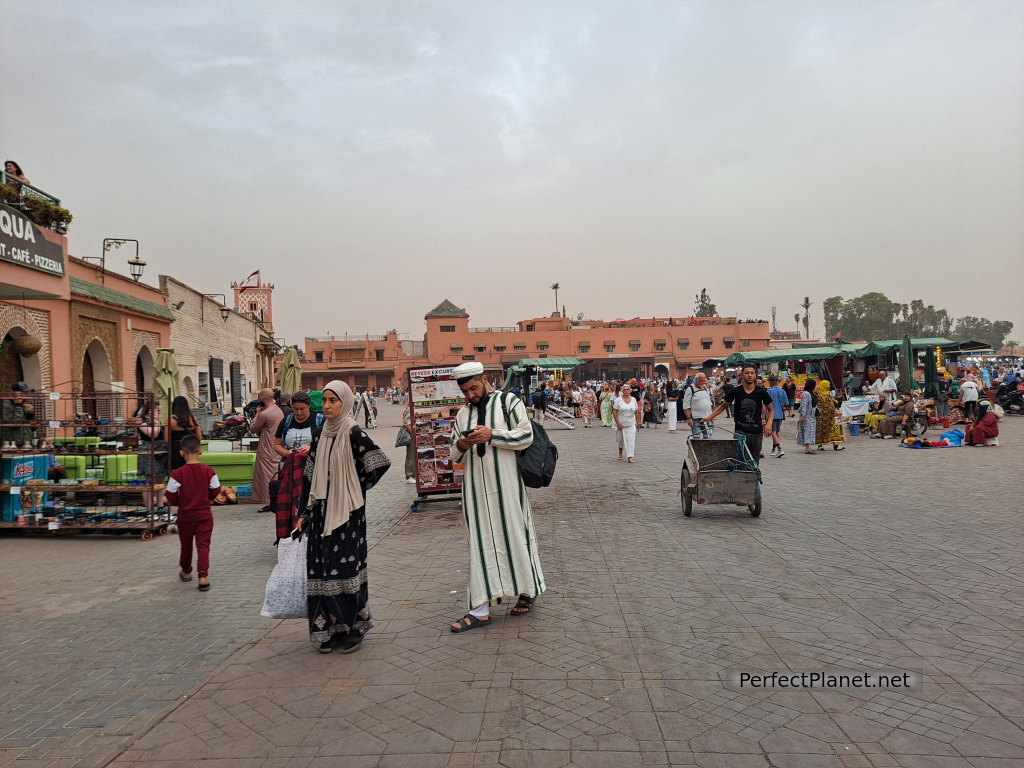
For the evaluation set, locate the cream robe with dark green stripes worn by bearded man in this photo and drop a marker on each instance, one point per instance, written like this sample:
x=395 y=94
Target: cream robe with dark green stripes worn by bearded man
x=503 y=556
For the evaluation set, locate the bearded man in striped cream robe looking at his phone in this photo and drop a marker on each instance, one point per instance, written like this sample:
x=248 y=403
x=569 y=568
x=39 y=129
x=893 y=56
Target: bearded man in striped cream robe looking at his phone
x=503 y=557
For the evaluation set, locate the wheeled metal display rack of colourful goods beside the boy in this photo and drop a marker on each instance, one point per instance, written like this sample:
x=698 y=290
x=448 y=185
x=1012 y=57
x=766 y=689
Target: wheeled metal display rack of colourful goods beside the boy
x=97 y=439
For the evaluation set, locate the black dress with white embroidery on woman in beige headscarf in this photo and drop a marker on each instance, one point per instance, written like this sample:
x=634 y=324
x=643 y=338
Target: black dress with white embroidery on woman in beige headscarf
x=336 y=565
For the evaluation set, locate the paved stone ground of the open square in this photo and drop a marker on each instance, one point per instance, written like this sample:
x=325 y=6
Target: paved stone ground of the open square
x=876 y=558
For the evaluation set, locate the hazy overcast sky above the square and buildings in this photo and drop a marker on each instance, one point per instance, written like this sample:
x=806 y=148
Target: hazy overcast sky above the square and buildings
x=375 y=158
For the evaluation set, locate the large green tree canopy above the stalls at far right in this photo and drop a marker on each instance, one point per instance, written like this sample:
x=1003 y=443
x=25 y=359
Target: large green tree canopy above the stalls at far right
x=875 y=316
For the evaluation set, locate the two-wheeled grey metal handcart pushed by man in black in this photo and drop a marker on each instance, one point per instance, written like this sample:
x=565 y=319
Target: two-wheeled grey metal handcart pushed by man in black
x=719 y=473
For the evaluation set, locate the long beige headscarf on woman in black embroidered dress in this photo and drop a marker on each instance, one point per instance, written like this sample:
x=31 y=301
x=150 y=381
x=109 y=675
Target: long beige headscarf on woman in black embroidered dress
x=336 y=464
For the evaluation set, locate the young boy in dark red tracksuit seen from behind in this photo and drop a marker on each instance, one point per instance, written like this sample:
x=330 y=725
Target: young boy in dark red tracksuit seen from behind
x=192 y=488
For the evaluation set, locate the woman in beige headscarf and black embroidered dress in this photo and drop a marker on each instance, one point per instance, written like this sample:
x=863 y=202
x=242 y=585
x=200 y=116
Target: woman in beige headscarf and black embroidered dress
x=344 y=465
